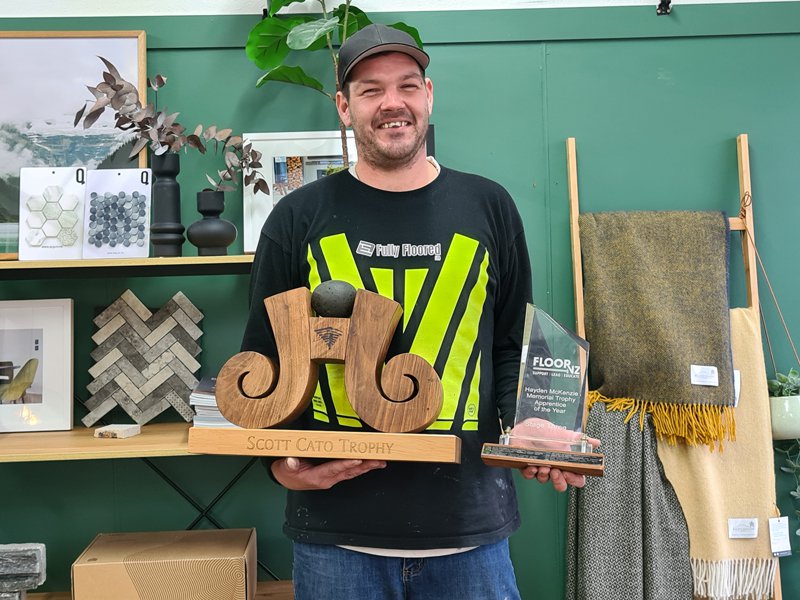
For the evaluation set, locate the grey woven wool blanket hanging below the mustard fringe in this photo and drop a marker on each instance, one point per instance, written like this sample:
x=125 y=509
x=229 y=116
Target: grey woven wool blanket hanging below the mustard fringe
x=626 y=535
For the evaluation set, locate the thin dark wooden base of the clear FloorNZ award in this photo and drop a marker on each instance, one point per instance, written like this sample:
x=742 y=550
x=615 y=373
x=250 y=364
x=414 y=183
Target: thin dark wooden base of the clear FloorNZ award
x=503 y=455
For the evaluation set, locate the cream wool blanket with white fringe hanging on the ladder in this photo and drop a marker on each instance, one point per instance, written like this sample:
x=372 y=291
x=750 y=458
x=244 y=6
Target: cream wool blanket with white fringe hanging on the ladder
x=737 y=483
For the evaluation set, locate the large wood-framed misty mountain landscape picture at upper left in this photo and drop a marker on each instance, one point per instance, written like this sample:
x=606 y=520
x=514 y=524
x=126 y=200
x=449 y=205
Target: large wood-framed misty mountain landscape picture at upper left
x=44 y=77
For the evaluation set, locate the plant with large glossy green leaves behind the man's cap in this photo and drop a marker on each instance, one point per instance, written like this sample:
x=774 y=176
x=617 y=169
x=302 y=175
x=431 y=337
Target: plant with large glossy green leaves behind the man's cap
x=271 y=41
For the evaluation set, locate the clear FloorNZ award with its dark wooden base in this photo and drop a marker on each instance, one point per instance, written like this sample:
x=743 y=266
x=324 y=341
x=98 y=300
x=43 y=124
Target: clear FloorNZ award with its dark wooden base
x=551 y=403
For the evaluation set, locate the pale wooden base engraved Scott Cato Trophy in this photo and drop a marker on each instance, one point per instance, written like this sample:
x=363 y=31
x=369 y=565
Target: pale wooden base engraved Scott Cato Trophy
x=414 y=447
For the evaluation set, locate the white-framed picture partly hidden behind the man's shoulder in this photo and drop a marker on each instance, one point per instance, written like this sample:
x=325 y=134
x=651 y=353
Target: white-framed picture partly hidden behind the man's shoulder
x=290 y=160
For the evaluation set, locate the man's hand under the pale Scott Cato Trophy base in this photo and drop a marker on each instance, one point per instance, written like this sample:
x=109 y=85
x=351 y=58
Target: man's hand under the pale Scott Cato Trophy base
x=298 y=474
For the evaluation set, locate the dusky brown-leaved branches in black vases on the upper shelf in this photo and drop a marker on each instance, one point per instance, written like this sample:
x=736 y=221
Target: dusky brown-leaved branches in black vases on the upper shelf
x=166 y=137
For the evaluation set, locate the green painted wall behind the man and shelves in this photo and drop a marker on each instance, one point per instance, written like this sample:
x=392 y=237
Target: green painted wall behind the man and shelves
x=655 y=104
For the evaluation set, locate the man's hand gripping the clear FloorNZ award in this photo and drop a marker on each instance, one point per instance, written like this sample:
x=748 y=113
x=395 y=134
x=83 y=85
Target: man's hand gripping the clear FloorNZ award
x=549 y=437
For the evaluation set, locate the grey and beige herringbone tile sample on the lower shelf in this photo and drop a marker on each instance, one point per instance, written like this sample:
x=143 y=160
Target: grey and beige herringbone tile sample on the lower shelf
x=144 y=362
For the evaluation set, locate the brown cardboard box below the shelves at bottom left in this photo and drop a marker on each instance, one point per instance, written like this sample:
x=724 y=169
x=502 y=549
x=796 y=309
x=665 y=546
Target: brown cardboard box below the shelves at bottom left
x=196 y=565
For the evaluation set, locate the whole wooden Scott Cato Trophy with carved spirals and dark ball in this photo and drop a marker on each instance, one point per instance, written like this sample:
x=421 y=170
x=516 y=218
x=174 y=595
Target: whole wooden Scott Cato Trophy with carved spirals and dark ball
x=397 y=399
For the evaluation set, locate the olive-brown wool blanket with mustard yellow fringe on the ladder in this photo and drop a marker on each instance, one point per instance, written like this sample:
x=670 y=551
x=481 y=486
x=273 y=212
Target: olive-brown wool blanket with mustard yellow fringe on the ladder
x=656 y=303
